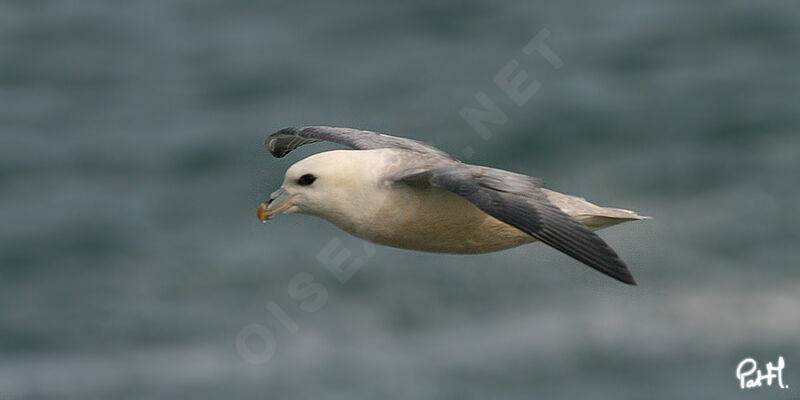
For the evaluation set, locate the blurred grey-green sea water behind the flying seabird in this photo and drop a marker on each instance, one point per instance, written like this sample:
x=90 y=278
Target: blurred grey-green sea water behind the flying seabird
x=132 y=162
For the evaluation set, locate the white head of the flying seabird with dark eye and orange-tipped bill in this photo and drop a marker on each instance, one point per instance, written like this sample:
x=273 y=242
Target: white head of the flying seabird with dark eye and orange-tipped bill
x=325 y=184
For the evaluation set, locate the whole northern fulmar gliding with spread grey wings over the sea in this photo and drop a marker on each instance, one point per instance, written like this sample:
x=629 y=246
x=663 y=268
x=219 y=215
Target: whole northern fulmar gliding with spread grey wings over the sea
x=403 y=193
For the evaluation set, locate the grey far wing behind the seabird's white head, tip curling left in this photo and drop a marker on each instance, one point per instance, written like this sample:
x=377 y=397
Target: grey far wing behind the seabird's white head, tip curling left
x=285 y=140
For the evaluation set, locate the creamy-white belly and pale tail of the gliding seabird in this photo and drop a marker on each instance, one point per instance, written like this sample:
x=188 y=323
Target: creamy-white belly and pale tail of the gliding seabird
x=439 y=221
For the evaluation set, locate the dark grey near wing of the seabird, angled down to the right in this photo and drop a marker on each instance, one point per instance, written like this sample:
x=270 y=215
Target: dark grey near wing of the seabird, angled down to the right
x=519 y=201
